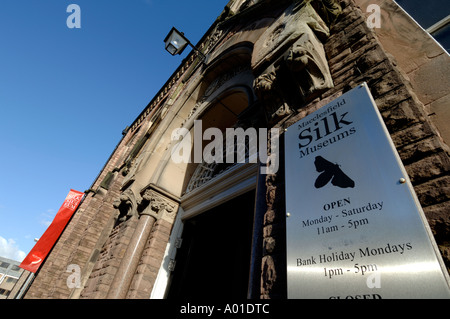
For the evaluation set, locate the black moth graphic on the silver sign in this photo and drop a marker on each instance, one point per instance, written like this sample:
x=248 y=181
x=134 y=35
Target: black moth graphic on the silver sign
x=331 y=172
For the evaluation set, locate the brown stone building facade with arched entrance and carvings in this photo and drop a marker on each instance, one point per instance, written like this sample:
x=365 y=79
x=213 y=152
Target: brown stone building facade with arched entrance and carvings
x=150 y=227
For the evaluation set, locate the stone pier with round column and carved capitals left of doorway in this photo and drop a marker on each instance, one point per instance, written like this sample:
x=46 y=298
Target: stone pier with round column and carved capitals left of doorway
x=121 y=256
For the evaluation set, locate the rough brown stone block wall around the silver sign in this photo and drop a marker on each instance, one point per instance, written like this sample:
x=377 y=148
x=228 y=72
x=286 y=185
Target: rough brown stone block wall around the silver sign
x=355 y=55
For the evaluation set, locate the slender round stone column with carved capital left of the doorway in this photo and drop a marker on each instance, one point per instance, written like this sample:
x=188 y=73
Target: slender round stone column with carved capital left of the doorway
x=153 y=206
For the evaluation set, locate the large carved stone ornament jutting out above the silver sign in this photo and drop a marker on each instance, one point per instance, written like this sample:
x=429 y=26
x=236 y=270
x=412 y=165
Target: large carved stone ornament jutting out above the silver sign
x=290 y=54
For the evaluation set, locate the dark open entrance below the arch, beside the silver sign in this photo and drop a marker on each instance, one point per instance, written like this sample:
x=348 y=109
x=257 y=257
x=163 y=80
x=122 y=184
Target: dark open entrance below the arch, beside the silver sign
x=214 y=259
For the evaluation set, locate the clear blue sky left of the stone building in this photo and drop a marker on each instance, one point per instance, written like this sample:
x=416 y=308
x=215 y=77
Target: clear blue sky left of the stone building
x=67 y=94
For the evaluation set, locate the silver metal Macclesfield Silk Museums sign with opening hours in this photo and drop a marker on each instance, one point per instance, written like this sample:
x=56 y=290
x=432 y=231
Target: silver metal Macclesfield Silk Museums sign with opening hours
x=355 y=228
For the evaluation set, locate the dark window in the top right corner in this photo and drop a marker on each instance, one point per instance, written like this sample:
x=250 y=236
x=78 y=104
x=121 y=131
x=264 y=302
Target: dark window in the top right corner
x=433 y=16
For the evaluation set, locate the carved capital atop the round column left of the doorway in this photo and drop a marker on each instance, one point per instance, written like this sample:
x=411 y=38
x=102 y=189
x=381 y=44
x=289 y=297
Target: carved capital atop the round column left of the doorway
x=158 y=205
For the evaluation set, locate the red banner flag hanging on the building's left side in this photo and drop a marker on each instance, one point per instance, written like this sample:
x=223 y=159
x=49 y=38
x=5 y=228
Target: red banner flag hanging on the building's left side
x=40 y=251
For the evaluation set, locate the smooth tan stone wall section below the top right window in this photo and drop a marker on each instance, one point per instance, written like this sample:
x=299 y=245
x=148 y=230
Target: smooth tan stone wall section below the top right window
x=425 y=63
